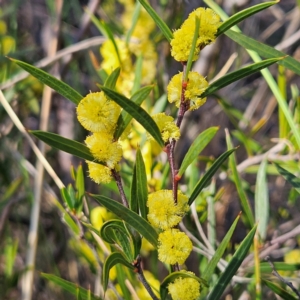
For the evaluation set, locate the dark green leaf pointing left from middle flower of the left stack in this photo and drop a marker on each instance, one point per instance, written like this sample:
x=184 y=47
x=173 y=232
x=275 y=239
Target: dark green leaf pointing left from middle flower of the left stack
x=64 y=144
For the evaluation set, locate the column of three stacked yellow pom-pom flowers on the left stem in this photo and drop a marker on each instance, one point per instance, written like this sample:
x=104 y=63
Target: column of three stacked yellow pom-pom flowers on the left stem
x=99 y=115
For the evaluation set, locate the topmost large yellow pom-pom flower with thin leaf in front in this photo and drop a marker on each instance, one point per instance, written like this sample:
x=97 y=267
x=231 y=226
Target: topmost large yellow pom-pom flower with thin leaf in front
x=182 y=39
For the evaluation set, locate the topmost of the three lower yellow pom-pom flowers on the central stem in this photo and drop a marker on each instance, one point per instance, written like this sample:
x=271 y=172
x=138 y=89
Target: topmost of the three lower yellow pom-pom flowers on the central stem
x=163 y=212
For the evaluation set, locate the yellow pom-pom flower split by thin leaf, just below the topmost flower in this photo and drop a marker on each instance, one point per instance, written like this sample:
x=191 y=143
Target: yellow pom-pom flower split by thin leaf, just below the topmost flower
x=197 y=84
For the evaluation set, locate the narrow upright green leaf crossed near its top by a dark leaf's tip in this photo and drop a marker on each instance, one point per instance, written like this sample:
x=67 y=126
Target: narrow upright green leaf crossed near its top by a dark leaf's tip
x=238 y=183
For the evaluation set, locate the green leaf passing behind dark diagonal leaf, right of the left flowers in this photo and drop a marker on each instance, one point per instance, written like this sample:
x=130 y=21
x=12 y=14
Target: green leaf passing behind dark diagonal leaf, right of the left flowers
x=125 y=118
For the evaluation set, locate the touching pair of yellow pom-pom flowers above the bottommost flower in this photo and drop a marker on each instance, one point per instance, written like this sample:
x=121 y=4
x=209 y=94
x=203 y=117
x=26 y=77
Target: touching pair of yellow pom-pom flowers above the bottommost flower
x=174 y=246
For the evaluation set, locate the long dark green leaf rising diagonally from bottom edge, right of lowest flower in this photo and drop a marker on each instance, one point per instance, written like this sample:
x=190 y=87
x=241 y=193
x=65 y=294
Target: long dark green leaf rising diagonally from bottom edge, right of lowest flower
x=232 y=266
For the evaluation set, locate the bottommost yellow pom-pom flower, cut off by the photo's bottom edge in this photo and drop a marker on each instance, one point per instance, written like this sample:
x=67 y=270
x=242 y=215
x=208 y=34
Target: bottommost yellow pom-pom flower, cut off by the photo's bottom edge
x=184 y=288
